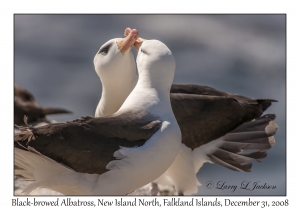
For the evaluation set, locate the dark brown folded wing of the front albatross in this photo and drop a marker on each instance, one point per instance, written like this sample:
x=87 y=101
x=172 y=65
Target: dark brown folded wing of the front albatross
x=87 y=145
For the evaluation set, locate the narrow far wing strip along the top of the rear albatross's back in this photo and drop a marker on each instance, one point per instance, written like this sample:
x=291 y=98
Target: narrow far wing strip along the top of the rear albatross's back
x=208 y=91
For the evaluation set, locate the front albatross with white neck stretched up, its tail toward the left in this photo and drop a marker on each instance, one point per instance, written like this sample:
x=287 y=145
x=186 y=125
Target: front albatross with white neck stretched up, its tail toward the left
x=112 y=155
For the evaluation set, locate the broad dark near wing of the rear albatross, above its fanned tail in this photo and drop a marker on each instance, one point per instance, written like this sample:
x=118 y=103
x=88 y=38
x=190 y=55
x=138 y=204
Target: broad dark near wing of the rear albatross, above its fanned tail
x=203 y=118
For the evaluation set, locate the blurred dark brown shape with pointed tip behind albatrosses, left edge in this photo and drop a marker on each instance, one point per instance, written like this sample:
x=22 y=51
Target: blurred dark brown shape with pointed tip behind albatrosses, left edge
x=25 y=104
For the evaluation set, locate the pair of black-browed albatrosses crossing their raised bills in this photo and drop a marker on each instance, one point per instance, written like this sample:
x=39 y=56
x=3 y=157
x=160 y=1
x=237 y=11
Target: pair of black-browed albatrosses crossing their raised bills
x=136 y=142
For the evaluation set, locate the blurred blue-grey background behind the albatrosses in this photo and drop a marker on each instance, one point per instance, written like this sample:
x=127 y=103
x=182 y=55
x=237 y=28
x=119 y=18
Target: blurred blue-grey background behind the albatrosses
x=242 y=54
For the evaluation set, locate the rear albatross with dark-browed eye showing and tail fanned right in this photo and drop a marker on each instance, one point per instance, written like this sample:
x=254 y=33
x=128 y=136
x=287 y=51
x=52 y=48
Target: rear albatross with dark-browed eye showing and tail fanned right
x=216 y=126
